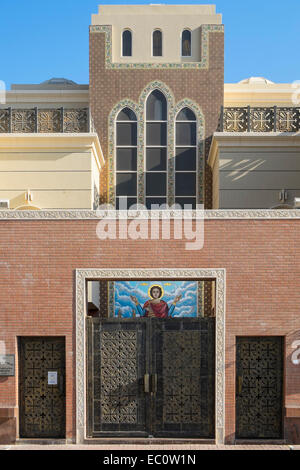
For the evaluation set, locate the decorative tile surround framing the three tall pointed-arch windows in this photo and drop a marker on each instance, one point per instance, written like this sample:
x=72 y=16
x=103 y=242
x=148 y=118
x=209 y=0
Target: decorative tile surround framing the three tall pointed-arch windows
x=139 y=110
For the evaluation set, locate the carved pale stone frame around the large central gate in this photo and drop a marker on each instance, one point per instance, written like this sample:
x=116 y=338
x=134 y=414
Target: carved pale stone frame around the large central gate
x=83 y=275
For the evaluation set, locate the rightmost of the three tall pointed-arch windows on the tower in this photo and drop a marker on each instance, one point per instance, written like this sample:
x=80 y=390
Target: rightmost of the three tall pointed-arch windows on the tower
x=186 y=158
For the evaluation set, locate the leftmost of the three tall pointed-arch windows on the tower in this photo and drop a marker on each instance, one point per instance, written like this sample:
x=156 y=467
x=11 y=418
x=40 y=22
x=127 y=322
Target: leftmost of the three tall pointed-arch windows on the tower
x=126 y=157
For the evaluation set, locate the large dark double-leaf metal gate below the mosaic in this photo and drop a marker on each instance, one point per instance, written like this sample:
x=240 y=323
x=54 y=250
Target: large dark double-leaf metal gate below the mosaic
x=151 y=377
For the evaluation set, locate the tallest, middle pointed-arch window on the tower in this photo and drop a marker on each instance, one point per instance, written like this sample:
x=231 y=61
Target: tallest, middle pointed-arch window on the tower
x=156 y=149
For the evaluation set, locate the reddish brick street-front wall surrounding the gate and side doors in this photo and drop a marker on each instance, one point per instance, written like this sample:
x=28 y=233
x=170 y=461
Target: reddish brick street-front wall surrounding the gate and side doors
x=262 y=259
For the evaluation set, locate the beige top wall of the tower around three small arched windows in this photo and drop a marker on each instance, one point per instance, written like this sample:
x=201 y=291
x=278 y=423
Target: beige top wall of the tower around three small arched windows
x=142 y=20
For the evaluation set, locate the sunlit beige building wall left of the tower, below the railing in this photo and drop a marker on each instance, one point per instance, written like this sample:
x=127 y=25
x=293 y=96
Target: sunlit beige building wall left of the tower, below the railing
x=60 y=171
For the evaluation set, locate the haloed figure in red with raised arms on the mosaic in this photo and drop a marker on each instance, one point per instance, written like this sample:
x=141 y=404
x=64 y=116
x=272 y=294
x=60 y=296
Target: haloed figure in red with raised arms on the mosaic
x=155 y=306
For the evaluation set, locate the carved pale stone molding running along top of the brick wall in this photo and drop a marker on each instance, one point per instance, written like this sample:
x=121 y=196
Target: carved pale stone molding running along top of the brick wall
x=238 y=214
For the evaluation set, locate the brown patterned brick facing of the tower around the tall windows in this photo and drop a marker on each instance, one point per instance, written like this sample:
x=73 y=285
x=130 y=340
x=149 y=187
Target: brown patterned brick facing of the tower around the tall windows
x=109 y=86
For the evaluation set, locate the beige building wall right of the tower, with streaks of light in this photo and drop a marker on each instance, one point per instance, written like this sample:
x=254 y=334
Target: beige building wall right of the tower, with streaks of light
x=251 y=170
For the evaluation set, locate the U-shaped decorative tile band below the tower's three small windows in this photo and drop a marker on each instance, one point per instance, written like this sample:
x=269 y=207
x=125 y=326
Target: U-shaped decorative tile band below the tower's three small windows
x=203 y=64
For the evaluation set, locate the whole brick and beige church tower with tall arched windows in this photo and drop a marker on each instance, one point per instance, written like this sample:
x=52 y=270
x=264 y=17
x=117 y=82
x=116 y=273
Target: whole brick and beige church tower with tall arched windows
x=156 y=92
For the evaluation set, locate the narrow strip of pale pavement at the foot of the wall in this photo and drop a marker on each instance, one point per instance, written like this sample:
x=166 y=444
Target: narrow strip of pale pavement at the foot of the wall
x=149 y=447
